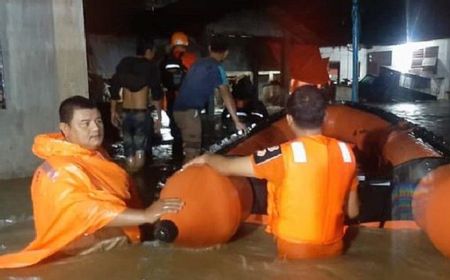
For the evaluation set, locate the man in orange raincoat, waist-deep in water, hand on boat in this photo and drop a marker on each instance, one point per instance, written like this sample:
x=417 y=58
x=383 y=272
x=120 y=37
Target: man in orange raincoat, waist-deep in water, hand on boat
x=82 y=201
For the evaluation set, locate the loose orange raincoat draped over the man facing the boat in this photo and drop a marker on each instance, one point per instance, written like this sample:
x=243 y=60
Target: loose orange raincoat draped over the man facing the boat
x=75 y=193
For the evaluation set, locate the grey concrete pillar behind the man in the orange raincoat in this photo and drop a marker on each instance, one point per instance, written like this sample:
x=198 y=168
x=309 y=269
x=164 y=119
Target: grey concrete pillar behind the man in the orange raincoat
x=39 y=38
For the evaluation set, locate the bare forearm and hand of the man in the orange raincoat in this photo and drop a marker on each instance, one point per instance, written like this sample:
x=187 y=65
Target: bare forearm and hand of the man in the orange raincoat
x=133 y=217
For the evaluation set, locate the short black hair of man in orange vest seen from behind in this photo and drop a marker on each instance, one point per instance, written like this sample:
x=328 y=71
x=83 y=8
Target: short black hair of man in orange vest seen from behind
x=307 y=107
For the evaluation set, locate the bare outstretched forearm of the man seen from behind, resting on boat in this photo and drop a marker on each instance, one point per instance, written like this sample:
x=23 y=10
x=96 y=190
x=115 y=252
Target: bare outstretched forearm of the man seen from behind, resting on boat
x=230 y=166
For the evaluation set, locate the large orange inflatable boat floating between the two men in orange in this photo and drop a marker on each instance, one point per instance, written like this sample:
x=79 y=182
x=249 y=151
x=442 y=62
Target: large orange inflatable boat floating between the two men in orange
x=405 y=175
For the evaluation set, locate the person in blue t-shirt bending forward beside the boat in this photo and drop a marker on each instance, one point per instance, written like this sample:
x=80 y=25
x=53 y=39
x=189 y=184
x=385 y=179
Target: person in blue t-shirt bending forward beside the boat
x=198 y=86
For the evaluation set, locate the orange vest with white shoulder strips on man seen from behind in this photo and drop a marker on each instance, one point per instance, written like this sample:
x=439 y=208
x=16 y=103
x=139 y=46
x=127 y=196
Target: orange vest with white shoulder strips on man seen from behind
x=309 y=205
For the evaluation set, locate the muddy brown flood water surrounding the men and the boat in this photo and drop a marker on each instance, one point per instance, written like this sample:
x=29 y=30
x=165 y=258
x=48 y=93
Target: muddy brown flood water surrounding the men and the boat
x=373 y=254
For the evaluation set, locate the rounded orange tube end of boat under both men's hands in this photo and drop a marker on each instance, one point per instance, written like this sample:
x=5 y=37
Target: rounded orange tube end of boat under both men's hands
x=214 y=207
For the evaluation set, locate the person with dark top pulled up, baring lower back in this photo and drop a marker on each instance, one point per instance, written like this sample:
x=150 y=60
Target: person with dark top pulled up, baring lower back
x=139 y=79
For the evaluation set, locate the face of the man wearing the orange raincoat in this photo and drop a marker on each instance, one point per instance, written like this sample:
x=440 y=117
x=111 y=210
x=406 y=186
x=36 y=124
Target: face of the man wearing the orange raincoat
x=85 y=129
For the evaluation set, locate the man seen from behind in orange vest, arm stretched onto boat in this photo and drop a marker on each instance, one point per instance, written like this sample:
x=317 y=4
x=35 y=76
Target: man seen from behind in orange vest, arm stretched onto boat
x=311 y=181
